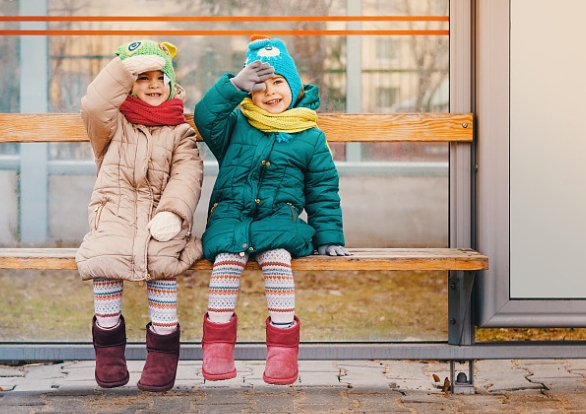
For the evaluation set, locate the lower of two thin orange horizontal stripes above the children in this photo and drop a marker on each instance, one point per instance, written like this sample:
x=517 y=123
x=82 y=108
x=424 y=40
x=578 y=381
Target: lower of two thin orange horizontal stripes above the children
x=223 y=32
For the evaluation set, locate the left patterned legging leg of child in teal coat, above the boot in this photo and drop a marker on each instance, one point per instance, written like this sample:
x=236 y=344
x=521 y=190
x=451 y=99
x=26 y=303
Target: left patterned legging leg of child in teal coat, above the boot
x=224 y=285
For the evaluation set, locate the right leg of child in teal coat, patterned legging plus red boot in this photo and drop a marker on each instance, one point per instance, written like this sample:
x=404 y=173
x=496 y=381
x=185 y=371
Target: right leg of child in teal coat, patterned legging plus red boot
x=282 y=326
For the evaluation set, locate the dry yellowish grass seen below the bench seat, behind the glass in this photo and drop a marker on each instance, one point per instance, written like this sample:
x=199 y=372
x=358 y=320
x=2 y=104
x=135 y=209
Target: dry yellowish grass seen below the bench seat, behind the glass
x=38 y=306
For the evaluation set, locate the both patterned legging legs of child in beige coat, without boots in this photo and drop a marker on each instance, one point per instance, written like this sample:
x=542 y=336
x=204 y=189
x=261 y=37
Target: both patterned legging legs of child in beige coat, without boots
x=162 y=298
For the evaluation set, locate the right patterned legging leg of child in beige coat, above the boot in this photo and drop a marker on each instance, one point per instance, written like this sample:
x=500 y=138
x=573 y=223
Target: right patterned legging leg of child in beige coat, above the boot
x=162 y=297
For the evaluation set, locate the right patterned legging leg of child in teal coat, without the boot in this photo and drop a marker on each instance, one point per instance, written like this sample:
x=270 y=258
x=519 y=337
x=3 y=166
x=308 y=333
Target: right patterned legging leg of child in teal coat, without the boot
x=279 y=286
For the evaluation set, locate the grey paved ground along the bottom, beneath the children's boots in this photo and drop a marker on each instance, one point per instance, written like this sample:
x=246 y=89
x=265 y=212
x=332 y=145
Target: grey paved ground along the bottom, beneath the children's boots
x=518 y=386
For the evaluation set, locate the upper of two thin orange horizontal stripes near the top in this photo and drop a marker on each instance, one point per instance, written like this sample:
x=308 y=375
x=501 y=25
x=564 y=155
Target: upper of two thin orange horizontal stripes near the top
x=213 y=19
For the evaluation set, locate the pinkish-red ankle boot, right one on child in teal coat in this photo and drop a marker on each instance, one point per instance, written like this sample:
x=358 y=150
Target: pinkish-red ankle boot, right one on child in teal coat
x=283 y=348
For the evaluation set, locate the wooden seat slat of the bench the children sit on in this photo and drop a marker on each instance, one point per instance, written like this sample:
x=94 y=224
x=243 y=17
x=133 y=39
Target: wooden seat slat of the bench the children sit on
x=363 y=259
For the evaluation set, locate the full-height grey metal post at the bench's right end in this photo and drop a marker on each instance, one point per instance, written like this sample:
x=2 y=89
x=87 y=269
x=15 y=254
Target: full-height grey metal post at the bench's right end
x=461 y=324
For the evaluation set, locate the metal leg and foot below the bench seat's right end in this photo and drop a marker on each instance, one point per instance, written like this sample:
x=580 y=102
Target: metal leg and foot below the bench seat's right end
x=461 y=327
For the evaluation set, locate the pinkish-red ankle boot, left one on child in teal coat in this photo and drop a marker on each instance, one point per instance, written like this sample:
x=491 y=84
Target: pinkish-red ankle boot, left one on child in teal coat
x=218 y=344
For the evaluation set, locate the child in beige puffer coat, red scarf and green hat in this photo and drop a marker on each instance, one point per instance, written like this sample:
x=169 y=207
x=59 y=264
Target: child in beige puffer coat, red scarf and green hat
x=141 y=210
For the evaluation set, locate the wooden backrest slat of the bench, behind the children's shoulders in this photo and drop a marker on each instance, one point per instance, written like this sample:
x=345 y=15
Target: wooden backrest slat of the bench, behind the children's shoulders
x=413 y=127
